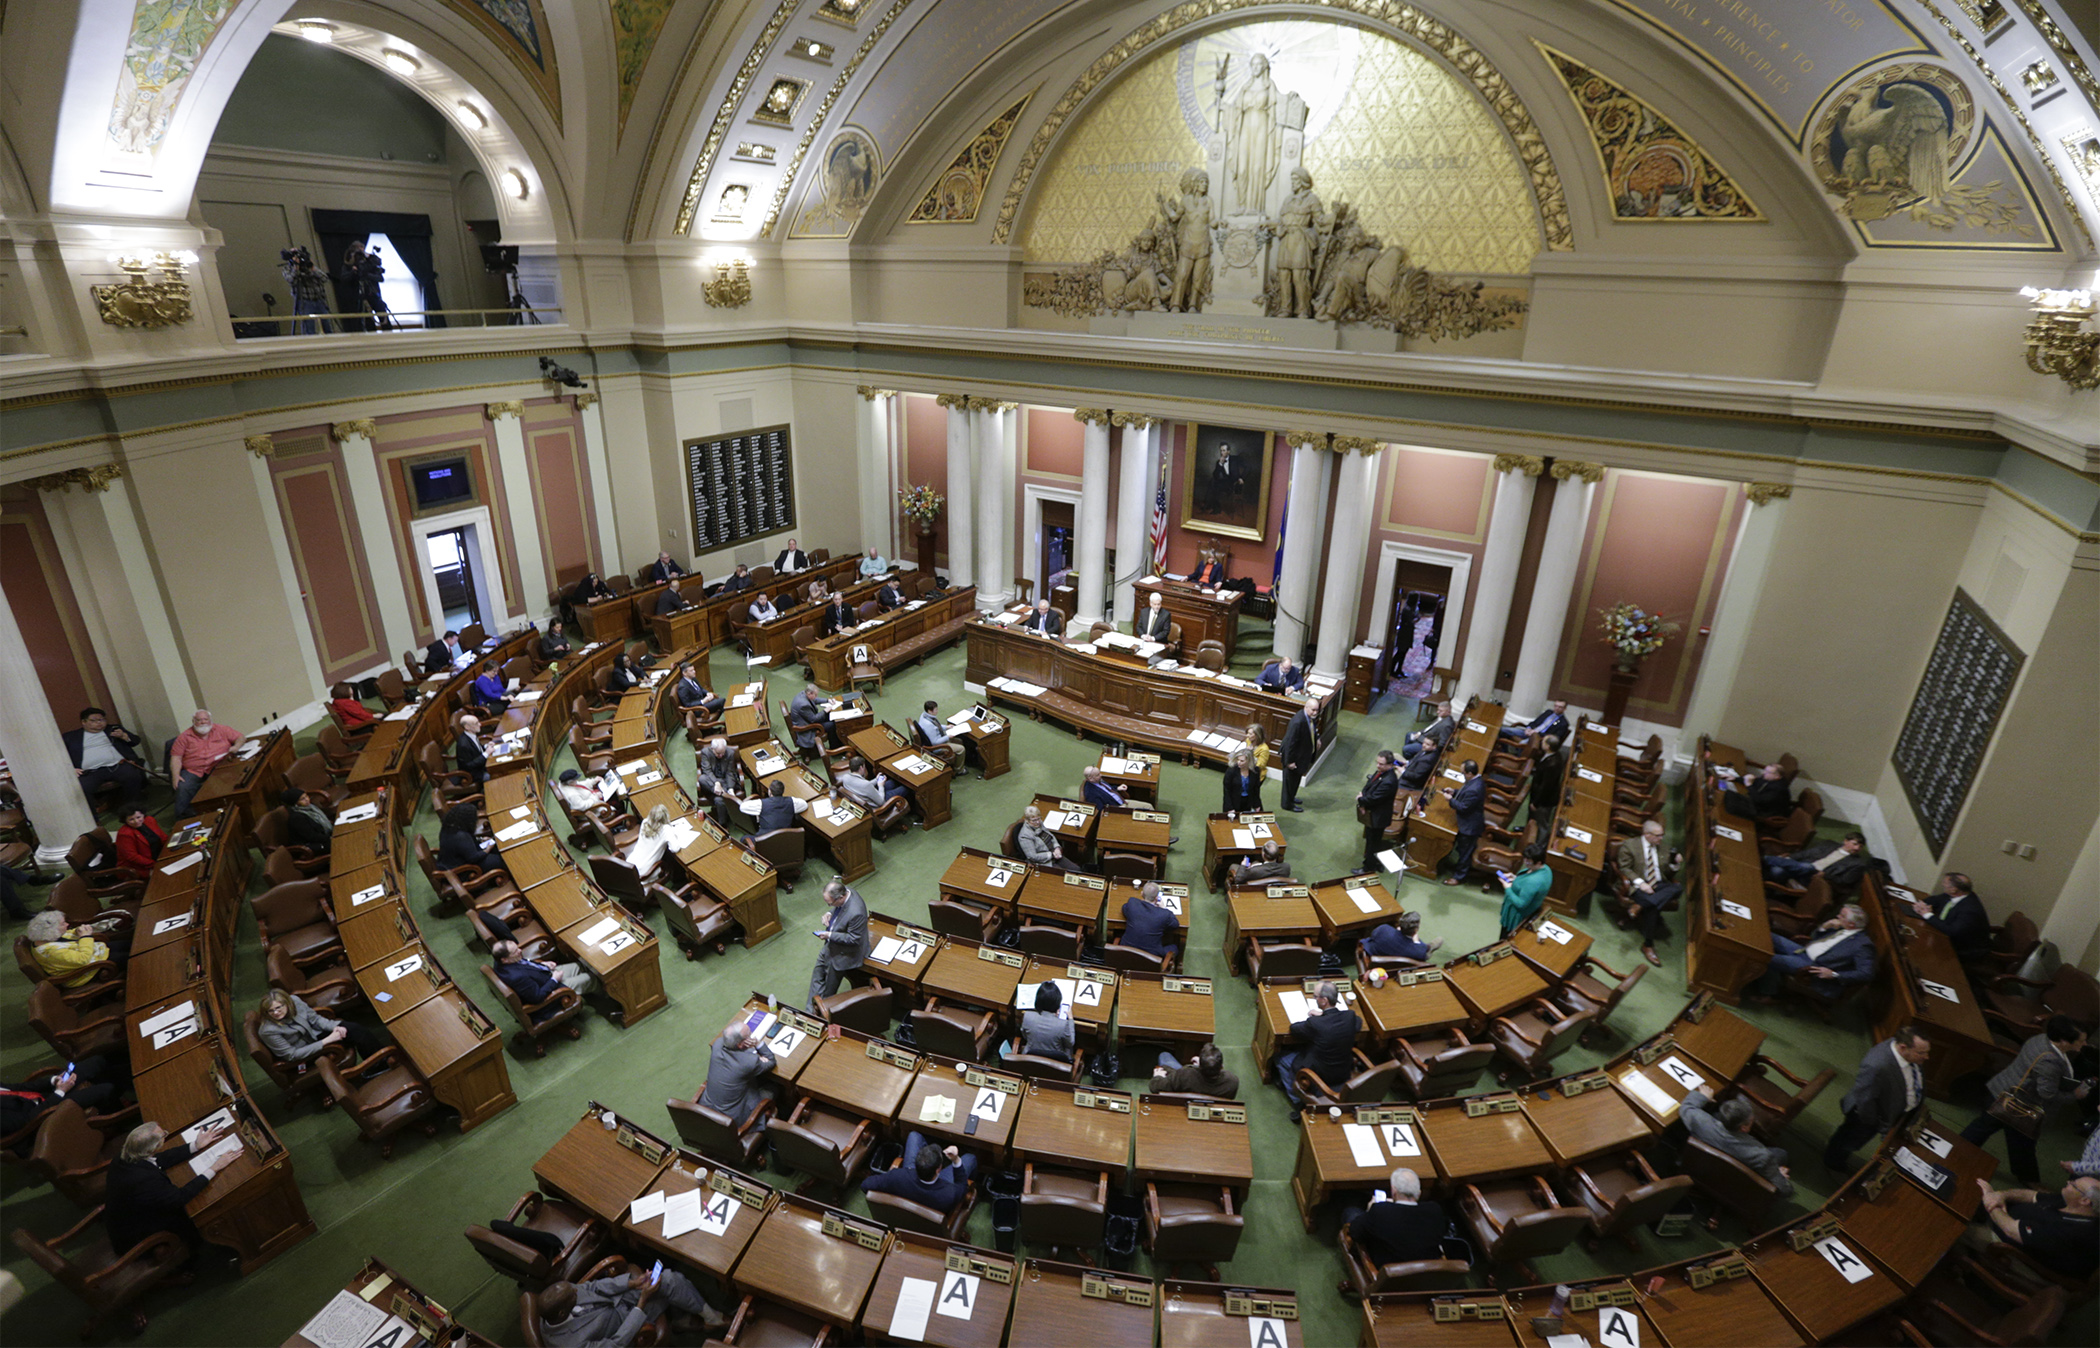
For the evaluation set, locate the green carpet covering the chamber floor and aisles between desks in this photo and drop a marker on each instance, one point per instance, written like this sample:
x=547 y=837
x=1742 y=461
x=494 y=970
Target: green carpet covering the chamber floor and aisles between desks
x=411 y=1210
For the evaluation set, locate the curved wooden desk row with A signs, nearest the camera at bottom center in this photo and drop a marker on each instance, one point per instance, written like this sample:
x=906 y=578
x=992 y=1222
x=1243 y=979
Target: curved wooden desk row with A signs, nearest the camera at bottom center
x=854 y=1271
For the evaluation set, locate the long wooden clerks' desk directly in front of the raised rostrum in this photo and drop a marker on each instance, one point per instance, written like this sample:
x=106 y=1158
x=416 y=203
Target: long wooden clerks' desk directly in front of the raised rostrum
x=1116 y=696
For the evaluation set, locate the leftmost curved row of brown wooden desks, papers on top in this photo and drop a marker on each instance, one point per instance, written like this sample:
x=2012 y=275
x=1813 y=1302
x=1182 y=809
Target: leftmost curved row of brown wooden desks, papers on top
x=182 y=1030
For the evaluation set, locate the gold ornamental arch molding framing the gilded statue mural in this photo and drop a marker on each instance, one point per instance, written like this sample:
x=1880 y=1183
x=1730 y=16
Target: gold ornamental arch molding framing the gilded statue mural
x=1398 y=20
